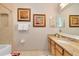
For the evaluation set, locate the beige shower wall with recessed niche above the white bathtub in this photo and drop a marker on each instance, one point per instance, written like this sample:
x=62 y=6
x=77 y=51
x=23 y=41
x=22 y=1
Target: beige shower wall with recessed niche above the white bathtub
x=5 y=25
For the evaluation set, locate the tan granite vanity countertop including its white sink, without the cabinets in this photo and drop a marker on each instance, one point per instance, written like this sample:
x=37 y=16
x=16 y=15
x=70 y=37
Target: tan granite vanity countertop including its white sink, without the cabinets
x=69 y=45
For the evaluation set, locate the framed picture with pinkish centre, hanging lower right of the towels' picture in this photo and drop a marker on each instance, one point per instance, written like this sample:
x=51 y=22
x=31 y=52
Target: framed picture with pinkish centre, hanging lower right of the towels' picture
x=39 y=20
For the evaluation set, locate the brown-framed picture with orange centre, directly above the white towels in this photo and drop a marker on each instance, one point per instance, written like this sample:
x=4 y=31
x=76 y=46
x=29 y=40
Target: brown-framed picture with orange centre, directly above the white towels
x=24 y=14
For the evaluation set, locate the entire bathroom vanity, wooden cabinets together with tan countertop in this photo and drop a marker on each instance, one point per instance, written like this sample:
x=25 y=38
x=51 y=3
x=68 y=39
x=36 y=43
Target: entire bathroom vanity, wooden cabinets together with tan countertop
x=63 y=46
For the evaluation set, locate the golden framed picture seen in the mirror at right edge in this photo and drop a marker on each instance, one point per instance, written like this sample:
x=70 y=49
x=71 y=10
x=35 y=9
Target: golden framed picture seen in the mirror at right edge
x=74 y=20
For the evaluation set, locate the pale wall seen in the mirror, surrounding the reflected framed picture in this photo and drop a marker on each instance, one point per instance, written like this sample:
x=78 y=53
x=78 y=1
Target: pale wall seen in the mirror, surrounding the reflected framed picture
x=71 y=9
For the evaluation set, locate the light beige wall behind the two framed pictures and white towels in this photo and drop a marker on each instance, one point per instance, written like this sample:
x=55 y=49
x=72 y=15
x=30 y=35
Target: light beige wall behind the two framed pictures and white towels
x=35 y=38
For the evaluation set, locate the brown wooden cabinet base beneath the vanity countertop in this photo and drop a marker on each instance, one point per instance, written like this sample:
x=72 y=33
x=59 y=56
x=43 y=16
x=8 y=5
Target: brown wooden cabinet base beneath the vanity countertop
x=56 y=50
